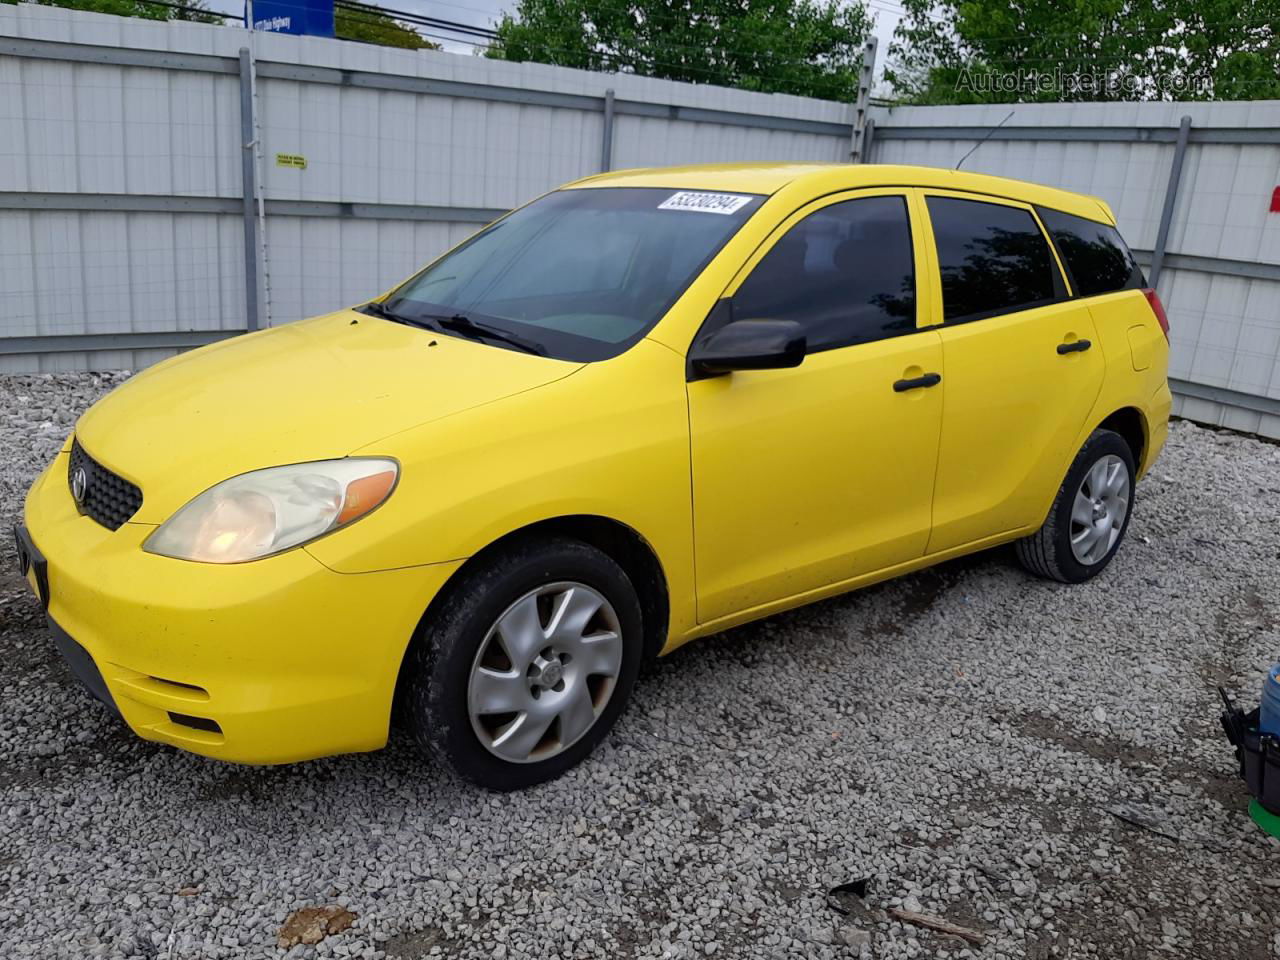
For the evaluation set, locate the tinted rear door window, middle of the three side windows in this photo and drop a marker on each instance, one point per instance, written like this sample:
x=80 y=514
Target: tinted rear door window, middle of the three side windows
x=994 y=259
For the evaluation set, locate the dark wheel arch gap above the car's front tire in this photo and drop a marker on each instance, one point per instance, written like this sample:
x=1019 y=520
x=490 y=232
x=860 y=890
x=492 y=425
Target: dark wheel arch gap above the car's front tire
x=623 y=543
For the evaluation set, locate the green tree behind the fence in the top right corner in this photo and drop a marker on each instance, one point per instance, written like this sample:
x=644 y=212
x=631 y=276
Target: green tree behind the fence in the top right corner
x=957 y=52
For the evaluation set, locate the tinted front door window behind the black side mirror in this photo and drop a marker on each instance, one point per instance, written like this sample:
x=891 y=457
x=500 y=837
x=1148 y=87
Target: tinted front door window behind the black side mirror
x=844 y=273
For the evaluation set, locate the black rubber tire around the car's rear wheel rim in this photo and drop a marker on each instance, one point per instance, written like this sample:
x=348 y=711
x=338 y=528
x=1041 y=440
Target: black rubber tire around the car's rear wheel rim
x=1048 y=552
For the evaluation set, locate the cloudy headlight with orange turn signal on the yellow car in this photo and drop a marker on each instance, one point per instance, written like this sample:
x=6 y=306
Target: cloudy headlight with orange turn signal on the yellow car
x=267 y=511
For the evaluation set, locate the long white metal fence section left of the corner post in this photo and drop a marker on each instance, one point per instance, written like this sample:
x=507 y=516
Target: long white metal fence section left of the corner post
x=125 y=179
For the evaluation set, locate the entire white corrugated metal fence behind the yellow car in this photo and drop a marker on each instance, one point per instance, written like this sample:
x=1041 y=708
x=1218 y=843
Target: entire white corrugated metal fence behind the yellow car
x=126 y=181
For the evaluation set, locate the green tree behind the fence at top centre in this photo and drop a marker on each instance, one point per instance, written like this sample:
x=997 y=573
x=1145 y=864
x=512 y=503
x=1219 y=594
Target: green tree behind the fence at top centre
x=810 y=48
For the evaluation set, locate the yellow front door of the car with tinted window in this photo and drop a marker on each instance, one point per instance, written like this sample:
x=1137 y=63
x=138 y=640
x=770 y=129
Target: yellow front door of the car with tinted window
x=810 y=477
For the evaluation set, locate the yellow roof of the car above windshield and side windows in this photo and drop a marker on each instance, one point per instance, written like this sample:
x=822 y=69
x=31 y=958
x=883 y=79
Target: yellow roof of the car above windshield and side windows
x=828 y=179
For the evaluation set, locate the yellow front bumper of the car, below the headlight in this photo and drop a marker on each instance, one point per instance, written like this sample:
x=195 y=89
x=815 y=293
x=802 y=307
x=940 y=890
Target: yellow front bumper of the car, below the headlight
x=275 y=661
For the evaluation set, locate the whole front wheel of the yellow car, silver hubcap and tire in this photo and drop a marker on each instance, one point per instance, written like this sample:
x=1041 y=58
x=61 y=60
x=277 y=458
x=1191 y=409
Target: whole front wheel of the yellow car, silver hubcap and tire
x=525 y=665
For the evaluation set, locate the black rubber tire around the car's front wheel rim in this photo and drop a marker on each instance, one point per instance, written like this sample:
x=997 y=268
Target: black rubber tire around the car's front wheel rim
x=441 y=659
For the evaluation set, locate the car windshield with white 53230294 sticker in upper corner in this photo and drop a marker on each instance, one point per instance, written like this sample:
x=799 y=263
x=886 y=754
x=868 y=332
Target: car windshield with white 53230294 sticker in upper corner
x=582 y=273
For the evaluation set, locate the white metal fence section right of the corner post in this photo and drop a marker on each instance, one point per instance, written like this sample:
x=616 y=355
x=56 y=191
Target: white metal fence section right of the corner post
x=1192 y=185
